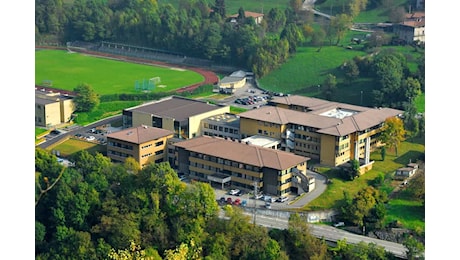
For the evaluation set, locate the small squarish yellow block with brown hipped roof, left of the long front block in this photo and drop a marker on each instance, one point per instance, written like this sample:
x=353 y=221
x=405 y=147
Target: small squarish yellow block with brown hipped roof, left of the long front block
x=145 y=144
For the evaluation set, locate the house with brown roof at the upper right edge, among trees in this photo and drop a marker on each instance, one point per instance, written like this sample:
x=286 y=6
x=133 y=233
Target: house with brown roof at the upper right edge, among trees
x=412 y=29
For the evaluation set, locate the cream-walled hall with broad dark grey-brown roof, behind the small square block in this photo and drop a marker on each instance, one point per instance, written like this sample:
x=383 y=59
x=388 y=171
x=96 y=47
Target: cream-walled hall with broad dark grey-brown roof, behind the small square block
x=178 y=114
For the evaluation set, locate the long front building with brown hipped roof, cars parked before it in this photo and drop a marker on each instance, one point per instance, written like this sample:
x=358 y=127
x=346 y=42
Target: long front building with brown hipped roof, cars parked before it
x=226 y=162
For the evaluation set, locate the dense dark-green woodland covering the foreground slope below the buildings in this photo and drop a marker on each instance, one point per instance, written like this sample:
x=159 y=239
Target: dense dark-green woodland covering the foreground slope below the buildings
x=100 y=210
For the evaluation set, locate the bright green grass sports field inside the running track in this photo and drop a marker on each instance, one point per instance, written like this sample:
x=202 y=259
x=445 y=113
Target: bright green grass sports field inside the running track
x=67 y=70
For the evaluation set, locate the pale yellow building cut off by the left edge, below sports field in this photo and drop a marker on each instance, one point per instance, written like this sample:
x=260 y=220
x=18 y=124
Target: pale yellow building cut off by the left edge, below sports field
x=52 y=108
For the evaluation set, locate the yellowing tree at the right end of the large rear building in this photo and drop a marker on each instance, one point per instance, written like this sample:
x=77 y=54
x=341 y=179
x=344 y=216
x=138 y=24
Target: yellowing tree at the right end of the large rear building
x=393 y=133
